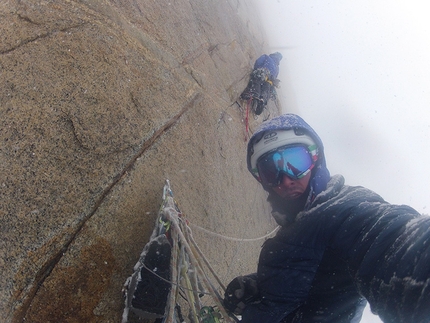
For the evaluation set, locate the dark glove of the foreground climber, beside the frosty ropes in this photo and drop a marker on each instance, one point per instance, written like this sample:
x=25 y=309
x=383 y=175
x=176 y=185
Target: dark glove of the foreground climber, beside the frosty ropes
x=240 y=292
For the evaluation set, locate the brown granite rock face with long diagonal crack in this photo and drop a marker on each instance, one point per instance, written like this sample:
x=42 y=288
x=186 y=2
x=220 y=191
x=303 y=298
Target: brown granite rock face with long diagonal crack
x=100 y=102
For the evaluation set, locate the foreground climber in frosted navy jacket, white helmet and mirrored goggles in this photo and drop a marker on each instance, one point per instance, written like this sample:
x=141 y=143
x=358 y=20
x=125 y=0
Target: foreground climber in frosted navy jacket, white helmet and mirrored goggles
x=338 y=245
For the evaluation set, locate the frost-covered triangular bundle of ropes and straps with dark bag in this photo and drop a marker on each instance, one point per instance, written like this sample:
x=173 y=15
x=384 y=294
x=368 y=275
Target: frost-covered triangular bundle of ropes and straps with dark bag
x=169 y=282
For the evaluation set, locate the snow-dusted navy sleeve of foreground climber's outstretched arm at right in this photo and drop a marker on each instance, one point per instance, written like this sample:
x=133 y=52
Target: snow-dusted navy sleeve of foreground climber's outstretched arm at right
x=388 y=251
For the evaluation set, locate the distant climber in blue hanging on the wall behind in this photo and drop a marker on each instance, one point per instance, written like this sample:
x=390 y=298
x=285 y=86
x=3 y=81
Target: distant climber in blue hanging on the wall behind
x=263 y=80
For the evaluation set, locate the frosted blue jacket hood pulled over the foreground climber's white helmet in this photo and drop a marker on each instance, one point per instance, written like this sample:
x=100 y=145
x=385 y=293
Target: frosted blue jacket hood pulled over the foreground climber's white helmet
x=320 y=174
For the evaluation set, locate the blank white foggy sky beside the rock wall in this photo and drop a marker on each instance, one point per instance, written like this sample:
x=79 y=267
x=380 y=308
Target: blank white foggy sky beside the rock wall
x=359 y=73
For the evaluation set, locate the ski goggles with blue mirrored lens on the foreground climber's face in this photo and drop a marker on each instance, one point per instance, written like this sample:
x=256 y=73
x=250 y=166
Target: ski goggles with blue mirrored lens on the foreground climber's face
x=293 y=161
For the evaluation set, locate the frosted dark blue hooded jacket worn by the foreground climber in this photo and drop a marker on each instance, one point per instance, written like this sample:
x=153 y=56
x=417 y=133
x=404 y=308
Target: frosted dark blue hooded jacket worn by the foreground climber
x=347 y=245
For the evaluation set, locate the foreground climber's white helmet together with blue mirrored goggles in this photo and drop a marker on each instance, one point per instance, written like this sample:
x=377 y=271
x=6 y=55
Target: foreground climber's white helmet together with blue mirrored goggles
x=282 y=152
